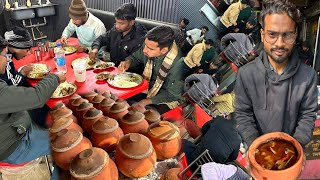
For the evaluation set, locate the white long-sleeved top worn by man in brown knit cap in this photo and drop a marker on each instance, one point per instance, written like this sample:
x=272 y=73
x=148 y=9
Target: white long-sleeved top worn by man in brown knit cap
x=87 y=32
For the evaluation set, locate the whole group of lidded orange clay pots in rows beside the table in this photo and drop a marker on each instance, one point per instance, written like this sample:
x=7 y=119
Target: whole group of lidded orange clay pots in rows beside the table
x=134 y=136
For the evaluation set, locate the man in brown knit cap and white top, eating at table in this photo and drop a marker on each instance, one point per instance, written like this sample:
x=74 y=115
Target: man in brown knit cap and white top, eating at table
x=86 y=25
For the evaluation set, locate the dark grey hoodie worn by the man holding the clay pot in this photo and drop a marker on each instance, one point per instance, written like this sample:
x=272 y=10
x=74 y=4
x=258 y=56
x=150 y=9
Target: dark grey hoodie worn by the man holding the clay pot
x=266 y=102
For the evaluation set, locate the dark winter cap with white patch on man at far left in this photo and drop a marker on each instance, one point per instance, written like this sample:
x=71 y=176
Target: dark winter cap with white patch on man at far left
x=19 y=38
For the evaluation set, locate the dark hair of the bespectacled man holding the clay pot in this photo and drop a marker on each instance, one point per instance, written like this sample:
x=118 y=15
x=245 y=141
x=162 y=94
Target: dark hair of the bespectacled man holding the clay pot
x=280 y=7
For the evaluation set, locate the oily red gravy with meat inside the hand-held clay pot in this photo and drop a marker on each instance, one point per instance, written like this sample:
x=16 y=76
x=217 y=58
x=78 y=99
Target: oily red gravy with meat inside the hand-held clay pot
x=276 y=155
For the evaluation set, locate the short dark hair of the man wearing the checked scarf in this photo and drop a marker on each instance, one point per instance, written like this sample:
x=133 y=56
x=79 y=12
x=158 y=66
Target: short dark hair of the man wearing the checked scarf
x=163 y=35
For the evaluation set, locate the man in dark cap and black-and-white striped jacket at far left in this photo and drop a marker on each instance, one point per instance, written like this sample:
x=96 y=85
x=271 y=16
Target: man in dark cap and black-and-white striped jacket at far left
x=19 y=44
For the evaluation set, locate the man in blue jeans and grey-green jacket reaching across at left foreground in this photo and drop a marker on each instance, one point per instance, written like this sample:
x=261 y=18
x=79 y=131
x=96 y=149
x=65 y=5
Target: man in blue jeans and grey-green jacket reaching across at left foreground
x=21 y=139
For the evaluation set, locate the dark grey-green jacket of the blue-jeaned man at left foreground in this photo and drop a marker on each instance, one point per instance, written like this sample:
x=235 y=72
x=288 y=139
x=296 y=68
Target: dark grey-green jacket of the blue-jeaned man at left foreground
x=14 y=120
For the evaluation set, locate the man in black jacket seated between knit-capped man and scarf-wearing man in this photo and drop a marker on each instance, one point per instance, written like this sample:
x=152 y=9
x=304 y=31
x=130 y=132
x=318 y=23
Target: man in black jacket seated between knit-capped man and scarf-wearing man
x=124 y=38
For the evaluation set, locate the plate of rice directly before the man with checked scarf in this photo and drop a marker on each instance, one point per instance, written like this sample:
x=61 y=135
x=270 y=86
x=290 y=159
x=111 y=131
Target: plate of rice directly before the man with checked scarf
x=125 y=80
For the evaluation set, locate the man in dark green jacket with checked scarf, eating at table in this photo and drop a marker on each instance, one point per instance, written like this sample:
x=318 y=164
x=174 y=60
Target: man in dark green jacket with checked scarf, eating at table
x=163 y=69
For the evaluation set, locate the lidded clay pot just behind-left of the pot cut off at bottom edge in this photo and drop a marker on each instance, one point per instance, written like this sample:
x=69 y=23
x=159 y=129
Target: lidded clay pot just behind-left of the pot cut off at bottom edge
x=66 y=145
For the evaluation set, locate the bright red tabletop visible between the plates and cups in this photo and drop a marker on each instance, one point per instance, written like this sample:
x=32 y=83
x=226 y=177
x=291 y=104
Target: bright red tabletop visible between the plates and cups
x=90 y=84
